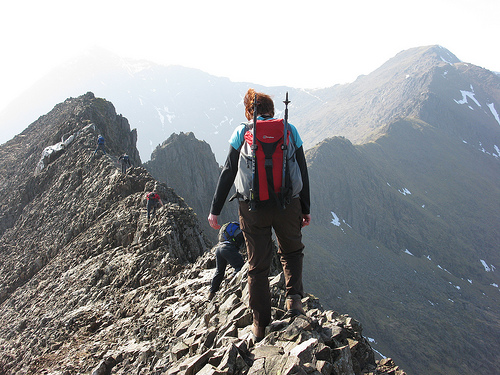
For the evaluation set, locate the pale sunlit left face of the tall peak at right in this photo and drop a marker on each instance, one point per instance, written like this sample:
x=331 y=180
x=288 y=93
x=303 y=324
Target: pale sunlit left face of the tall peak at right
x=361 y=110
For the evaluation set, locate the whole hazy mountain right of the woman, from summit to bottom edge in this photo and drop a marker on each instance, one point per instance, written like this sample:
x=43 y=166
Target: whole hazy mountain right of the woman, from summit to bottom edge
x=407 y=219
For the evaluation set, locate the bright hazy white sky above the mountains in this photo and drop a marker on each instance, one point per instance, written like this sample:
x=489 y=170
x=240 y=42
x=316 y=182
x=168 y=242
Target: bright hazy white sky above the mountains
x=307 y=44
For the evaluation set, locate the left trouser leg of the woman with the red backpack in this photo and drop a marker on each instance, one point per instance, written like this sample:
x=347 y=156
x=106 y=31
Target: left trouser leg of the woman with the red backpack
x=256 y=227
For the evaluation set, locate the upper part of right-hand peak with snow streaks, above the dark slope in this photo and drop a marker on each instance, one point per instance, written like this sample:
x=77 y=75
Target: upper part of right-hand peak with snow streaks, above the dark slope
x=428 y=83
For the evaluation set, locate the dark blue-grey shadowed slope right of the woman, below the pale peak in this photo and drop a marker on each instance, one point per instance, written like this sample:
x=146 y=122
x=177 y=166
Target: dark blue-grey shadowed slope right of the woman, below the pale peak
x=411 y=227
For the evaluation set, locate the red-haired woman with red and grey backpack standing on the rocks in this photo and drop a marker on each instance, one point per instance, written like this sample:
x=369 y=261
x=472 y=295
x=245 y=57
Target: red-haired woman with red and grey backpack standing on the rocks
x=264 y=206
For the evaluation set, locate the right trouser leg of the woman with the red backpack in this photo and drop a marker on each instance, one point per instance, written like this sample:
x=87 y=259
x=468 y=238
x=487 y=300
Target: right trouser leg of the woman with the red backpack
x=287 y=226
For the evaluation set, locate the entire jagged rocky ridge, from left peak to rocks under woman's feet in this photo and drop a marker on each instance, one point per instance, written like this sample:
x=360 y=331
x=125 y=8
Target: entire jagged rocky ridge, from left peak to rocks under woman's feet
x=89 y=285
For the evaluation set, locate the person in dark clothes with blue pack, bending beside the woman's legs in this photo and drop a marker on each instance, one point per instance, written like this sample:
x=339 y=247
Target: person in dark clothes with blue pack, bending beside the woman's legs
x=227 y=251
